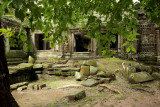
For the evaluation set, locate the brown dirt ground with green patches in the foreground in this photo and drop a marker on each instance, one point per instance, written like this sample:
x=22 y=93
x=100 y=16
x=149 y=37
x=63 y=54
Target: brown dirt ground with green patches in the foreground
x=118 y=93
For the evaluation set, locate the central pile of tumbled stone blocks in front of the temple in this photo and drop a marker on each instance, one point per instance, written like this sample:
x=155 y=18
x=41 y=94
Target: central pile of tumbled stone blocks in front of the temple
x=92 y=75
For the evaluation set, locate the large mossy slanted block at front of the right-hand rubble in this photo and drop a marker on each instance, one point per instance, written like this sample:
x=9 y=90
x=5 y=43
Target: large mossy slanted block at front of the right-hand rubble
x=140 y=77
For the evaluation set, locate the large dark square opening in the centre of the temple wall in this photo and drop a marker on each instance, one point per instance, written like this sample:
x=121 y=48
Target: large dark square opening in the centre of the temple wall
x=83 y=43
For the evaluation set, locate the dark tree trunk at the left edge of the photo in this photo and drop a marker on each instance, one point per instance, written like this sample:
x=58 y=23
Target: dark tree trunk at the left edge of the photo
x=6 y=98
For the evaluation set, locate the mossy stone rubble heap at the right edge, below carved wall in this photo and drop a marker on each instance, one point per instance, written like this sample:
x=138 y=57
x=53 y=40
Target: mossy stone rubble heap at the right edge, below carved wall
x=139 y=73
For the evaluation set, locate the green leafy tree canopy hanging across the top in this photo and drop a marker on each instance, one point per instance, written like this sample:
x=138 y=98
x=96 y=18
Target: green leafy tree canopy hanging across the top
x=55 y=17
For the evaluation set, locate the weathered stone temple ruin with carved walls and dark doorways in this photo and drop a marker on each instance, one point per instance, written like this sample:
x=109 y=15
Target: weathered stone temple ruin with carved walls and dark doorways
x=54 y=61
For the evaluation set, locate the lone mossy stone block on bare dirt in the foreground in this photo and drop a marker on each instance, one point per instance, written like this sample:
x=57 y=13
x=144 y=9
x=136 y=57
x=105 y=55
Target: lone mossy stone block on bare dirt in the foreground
x=77 y=95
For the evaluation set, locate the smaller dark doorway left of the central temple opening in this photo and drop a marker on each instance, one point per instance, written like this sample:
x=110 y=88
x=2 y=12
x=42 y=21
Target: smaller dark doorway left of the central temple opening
x=41 y=44
